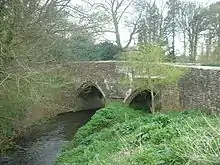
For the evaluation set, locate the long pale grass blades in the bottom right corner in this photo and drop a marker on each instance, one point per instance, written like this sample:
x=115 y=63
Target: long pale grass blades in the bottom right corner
x=201 y=144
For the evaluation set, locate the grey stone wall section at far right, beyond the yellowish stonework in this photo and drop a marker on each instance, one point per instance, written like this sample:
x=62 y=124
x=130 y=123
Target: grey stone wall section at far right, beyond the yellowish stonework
x=200 y=89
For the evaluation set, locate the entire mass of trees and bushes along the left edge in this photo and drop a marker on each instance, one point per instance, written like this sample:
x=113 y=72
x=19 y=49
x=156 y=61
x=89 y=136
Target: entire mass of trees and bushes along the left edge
x=28 y=31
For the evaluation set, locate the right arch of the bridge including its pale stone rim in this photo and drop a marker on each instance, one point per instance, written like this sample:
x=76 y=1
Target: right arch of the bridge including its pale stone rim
x=140 y=99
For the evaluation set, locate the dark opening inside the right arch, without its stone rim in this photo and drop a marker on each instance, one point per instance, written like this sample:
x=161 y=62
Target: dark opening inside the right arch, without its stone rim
x=142 y=100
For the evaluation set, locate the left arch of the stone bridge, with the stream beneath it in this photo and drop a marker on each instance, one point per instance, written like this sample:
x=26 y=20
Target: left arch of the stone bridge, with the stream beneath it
x=89 y=96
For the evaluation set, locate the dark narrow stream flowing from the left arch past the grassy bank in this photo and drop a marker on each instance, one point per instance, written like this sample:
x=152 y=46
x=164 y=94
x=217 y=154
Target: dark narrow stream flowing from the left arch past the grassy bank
x=43 y=145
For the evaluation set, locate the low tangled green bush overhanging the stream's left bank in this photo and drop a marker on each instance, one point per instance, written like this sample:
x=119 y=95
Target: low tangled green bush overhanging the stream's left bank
x=20 y=93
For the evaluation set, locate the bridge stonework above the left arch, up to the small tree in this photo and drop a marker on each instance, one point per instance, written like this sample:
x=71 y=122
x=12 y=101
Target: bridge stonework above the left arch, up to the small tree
x=106 y=74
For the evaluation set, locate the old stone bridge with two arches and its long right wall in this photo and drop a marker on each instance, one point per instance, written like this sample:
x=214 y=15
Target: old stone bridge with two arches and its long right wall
x=98 y=82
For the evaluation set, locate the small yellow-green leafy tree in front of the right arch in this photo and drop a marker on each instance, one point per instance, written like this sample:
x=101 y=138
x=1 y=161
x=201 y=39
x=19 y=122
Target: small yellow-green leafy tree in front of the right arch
x=149 y=70
